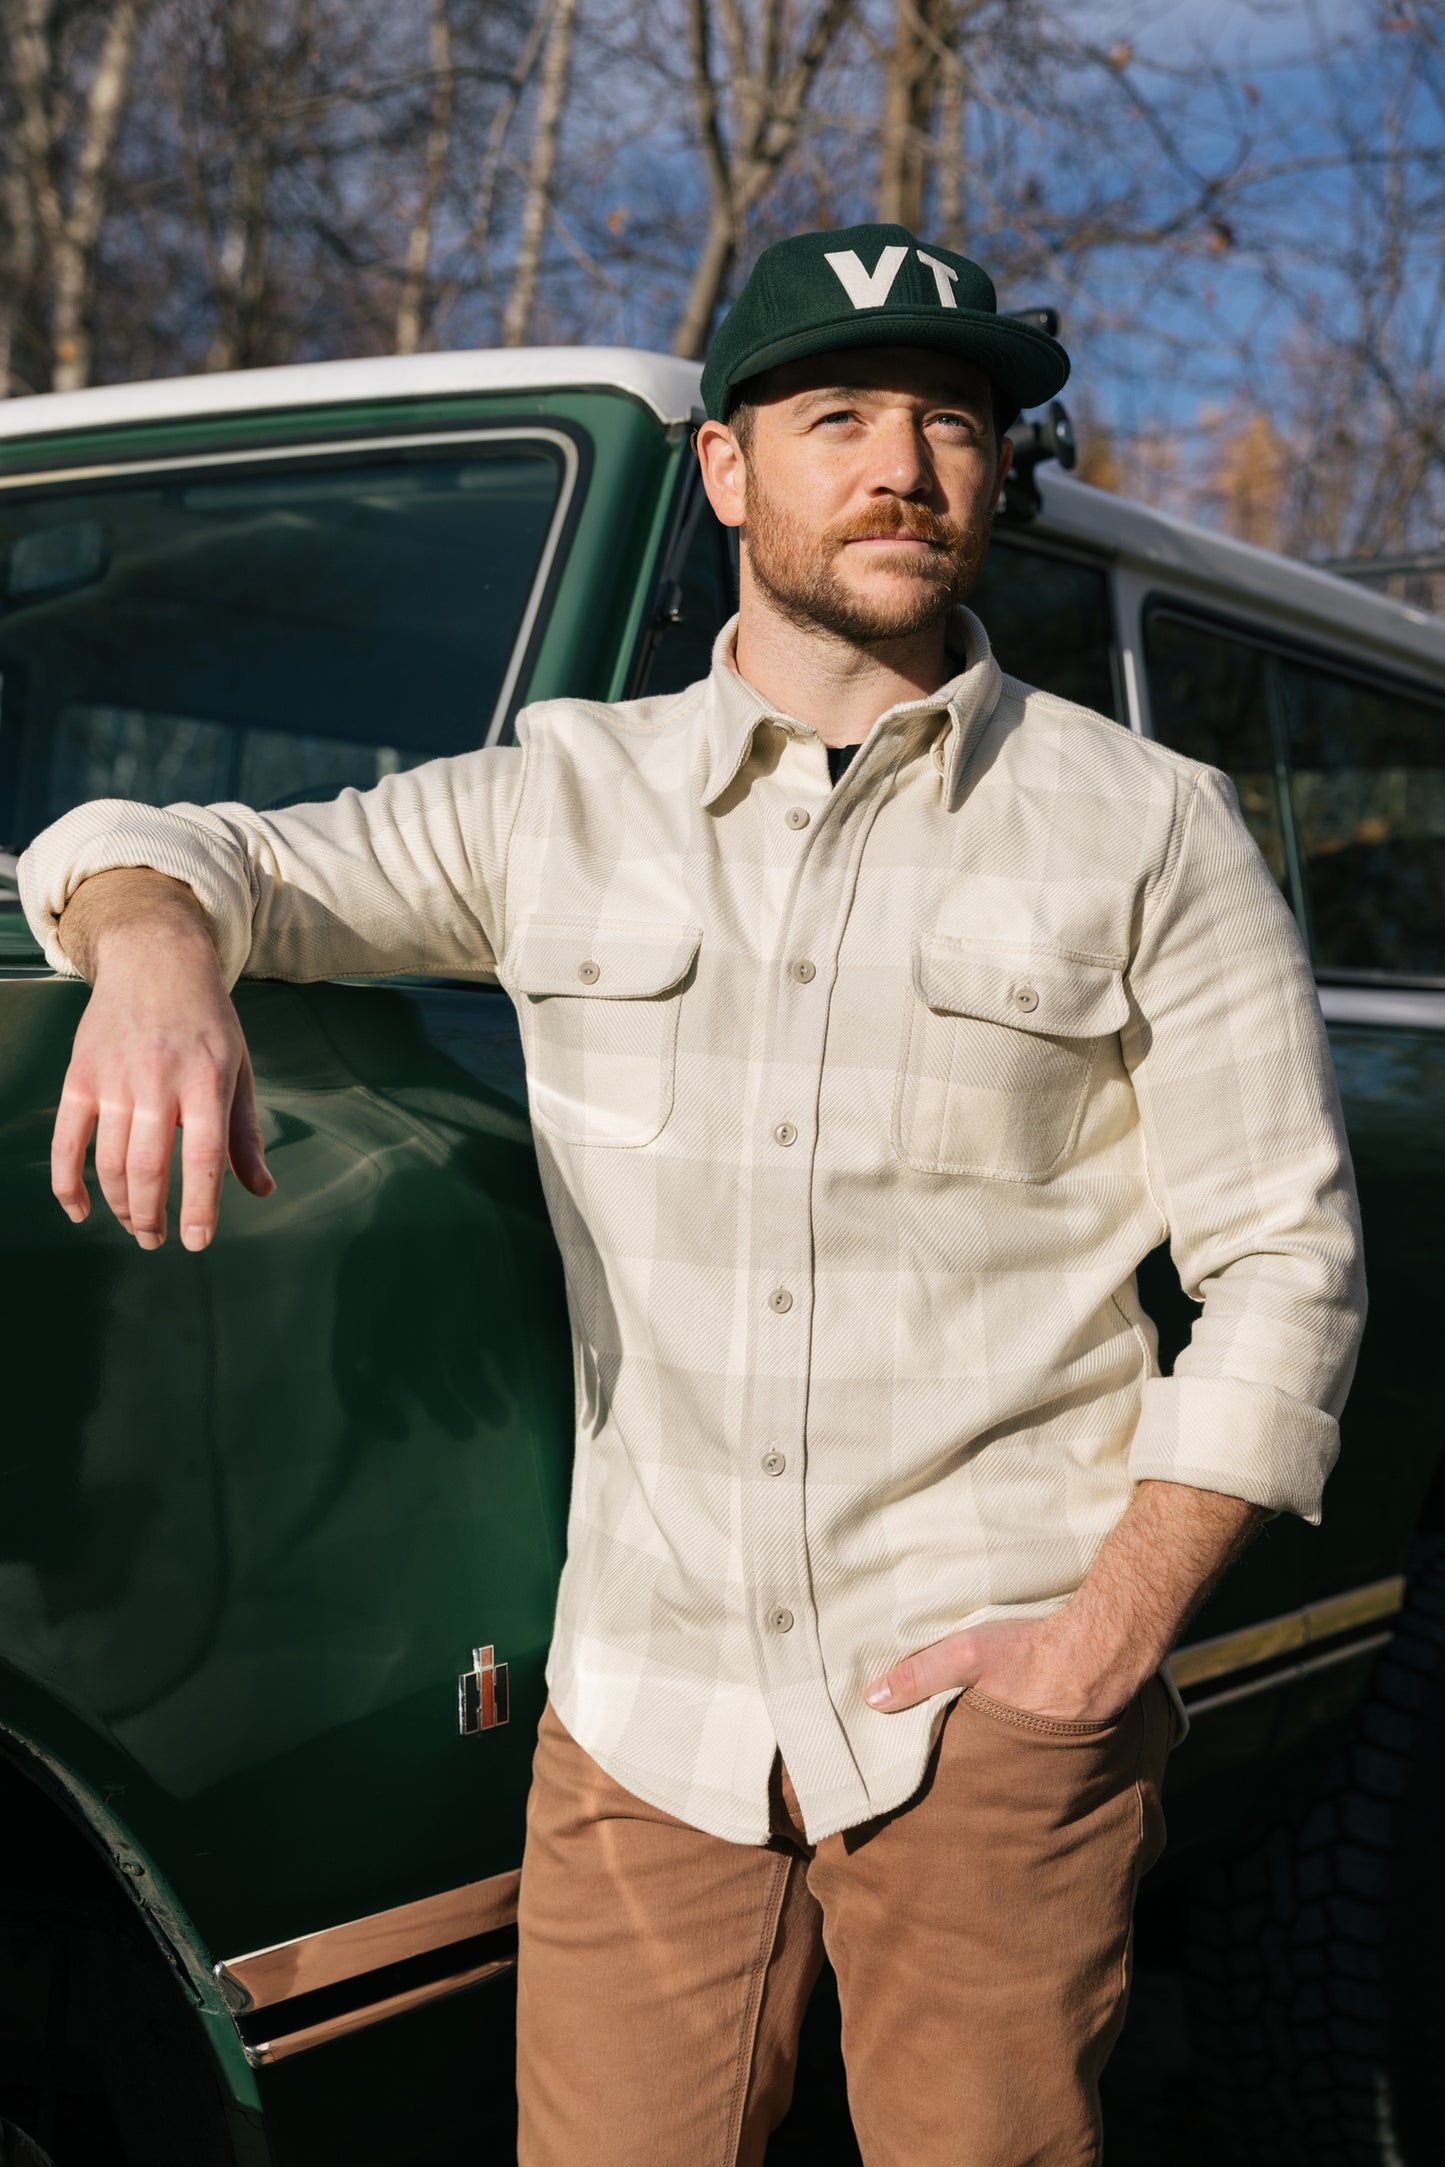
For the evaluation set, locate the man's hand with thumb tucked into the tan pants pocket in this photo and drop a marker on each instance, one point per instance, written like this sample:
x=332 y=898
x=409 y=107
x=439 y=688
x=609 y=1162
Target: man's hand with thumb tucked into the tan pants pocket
x=1030 y=1663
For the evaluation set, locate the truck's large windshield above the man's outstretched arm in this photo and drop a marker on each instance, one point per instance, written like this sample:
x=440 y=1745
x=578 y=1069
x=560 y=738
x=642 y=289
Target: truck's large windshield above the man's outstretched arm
x=265 y=632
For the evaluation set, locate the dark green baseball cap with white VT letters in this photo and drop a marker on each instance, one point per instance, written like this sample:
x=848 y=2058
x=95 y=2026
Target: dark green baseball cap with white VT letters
x=876 y=287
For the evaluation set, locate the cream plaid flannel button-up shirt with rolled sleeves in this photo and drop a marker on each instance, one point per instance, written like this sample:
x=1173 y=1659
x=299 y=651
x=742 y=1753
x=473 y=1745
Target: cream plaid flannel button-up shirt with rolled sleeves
x=857 y=1111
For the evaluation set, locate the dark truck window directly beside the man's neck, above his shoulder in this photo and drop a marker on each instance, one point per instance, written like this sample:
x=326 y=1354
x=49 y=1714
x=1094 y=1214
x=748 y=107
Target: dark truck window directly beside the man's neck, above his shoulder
x=1050 y=623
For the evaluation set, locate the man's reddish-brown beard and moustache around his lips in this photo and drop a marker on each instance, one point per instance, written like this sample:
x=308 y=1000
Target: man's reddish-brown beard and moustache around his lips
x=798 y=571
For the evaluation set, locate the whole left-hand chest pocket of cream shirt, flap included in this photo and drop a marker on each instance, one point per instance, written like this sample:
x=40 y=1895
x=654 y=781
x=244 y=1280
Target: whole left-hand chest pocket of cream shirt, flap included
x=599 y=1011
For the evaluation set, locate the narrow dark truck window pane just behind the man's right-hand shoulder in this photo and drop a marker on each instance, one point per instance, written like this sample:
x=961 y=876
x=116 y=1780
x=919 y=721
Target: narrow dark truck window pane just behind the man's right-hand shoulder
x=1210 y=699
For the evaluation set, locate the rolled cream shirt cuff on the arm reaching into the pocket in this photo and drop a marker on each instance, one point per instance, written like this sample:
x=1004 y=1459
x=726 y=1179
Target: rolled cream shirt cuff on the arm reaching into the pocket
x=1242 y=1440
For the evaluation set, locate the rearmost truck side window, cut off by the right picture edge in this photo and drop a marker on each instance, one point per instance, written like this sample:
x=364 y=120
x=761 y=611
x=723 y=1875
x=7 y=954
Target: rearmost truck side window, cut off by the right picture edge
x=1368 y=781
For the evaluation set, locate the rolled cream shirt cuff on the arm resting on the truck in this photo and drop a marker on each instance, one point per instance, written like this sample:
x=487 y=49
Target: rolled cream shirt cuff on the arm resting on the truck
x=109 y=835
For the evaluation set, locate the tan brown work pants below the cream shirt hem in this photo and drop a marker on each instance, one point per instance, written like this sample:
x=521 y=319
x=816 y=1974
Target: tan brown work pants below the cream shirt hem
x=980 y=1936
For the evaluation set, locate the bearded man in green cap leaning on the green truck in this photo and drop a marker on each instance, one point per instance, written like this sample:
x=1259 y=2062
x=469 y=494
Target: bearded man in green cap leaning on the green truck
x=861 y=1087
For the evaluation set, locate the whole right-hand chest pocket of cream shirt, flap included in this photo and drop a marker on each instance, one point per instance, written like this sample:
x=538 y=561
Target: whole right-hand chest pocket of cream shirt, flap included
x=1000 y=1052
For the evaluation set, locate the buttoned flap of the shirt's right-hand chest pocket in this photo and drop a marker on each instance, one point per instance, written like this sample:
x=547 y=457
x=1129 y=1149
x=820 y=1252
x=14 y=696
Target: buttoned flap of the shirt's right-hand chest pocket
x=1028 y=989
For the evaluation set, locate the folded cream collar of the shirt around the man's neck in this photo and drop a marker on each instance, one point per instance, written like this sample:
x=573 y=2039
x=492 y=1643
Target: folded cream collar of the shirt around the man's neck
x=733 y=710
